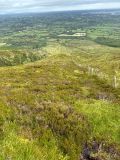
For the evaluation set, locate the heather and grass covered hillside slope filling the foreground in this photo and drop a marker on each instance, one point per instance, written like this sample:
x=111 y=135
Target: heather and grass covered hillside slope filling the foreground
x=54 y=109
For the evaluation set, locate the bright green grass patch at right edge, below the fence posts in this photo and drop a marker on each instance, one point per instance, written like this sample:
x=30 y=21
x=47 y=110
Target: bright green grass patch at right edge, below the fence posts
x=105 y=119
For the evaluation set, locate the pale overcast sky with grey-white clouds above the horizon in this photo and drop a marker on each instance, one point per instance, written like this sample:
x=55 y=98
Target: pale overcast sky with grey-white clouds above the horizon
x=19 y=6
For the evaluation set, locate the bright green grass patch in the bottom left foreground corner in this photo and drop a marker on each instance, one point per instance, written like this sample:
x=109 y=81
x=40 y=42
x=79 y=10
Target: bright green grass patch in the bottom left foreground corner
x=16 y=147
